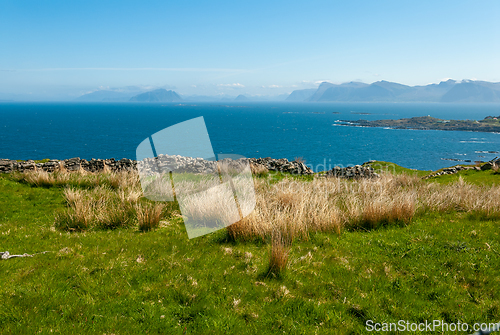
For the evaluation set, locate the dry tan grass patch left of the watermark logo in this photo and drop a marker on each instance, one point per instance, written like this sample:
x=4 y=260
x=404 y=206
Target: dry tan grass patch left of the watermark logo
x=101 y=201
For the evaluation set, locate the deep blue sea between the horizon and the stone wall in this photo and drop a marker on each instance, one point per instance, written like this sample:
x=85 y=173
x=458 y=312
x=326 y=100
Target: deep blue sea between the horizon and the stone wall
x=278 y=130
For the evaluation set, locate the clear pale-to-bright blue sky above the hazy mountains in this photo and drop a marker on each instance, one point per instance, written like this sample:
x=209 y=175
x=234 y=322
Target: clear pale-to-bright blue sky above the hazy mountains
x=66 y=48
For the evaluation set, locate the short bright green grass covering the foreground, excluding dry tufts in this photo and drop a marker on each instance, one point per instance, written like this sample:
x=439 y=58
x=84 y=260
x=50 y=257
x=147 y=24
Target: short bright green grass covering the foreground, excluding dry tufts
x=439 y=266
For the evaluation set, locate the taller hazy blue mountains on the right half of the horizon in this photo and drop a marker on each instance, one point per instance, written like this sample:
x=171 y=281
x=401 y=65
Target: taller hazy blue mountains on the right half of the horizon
x=384 y=91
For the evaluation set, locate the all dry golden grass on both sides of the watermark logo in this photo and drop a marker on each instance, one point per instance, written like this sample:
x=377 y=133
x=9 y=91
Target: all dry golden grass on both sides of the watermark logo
x=297 y=207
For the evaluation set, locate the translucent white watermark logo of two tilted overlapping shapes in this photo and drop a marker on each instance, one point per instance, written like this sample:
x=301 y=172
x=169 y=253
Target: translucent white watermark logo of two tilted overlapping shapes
x=178 y=163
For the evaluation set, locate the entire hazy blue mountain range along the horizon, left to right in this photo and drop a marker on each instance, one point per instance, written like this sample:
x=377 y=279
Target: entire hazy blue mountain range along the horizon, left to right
x=380 y=91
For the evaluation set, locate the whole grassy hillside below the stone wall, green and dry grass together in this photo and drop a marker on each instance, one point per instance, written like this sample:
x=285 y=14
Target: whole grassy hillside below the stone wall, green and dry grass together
x=317 y=256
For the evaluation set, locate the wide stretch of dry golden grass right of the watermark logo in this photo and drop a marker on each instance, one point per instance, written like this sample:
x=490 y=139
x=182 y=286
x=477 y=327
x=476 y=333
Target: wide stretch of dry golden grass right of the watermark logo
x=333 y=204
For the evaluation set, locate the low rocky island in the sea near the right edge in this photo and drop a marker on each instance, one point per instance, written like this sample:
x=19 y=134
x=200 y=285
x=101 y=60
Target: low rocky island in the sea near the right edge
x=489 y=124
